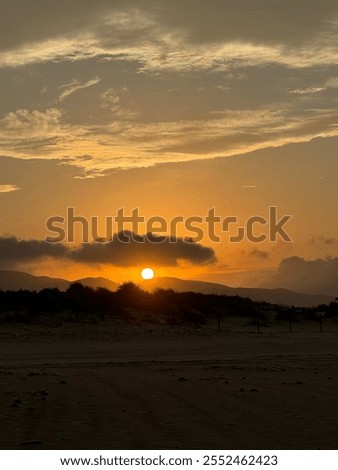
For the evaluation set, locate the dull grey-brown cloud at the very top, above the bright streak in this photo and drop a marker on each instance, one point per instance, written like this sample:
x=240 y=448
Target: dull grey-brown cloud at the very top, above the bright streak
x=261 y=21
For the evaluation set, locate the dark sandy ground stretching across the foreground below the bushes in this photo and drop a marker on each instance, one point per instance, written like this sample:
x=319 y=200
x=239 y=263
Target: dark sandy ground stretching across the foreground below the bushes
x=103 y=387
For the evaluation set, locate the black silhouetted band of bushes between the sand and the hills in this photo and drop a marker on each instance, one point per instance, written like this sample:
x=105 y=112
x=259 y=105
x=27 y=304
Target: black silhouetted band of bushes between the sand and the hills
x=81 y=303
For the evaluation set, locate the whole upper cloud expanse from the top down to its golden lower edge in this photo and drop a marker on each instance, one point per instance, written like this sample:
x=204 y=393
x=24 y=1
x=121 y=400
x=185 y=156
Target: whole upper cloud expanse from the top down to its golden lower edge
x=160 y=74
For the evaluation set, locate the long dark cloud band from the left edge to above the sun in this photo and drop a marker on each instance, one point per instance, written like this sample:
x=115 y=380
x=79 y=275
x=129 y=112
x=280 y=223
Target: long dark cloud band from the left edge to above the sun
x=125 y=249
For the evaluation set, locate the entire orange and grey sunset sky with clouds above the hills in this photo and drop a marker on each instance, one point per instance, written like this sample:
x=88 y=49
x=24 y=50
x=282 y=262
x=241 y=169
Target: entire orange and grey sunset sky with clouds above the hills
x=173 y=108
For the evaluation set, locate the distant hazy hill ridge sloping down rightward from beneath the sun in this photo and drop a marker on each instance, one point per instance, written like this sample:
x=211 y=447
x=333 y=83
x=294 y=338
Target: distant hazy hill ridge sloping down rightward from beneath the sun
x=276 y=296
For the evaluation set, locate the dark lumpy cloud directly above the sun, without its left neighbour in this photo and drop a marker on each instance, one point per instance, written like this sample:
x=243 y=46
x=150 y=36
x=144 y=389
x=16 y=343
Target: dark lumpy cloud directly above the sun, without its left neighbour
x=128 y=249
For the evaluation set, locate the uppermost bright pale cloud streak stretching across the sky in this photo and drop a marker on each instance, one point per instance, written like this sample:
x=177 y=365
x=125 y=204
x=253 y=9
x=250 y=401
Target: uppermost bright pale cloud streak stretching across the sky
x=173 y=53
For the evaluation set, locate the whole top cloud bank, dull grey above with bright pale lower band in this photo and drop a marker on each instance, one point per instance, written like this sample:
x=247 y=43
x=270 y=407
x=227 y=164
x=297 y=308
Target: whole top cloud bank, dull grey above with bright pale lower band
x=163 y=35
